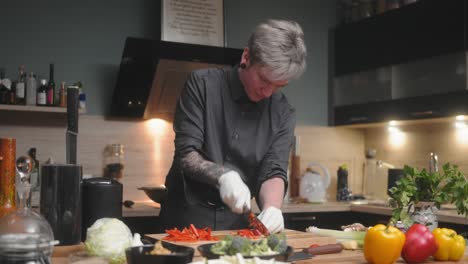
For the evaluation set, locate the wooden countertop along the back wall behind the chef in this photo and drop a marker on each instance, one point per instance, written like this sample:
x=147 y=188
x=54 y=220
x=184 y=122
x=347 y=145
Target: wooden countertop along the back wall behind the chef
x=447 y=214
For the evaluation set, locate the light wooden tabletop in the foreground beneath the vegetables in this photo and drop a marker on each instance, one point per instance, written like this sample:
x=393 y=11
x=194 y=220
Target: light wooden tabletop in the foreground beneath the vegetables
x=296 y=239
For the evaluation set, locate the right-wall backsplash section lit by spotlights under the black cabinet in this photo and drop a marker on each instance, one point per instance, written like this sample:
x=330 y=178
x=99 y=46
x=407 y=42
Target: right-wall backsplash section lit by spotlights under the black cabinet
x=417 y=141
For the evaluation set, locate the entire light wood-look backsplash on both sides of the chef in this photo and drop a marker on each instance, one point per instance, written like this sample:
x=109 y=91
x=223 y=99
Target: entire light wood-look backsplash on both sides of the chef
x=149 y=147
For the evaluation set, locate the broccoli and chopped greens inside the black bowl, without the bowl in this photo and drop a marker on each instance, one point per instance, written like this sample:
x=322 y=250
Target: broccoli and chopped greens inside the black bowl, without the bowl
x=231 y=245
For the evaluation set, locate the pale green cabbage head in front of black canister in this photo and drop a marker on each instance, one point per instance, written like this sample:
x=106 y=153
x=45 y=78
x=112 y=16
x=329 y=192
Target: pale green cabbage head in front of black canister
x=108 y=238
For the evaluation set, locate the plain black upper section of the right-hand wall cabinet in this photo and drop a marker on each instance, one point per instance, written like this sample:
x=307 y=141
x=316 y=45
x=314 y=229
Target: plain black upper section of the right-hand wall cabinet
x=424 y=29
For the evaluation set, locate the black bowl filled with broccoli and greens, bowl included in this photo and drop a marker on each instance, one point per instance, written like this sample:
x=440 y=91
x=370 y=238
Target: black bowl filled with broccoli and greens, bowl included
x=273 y=247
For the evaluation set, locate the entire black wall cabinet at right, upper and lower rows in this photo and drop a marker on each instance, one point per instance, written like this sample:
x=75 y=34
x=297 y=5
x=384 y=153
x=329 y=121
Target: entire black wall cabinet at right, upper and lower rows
x=408 y=63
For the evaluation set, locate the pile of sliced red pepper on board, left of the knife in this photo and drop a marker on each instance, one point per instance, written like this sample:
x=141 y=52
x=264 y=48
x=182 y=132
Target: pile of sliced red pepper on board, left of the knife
x=190 y=234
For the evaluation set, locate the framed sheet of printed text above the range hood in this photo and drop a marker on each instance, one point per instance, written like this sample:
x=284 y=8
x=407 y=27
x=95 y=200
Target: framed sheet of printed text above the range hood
x=194 y=21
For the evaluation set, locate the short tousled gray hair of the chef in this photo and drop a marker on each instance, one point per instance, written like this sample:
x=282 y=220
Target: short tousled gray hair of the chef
x=279 y=46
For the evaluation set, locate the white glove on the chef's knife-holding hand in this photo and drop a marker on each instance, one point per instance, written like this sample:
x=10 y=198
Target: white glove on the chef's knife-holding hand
x=234 y=192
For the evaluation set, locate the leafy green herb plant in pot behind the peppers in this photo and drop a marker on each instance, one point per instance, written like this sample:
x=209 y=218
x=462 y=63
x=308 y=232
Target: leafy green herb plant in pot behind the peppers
x=419 y=191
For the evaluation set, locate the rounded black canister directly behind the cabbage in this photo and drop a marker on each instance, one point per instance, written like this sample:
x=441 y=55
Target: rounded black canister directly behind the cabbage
x=102 y=197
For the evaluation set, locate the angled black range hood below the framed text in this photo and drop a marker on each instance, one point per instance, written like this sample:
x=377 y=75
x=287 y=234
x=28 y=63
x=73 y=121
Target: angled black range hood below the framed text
x=152 y=74
